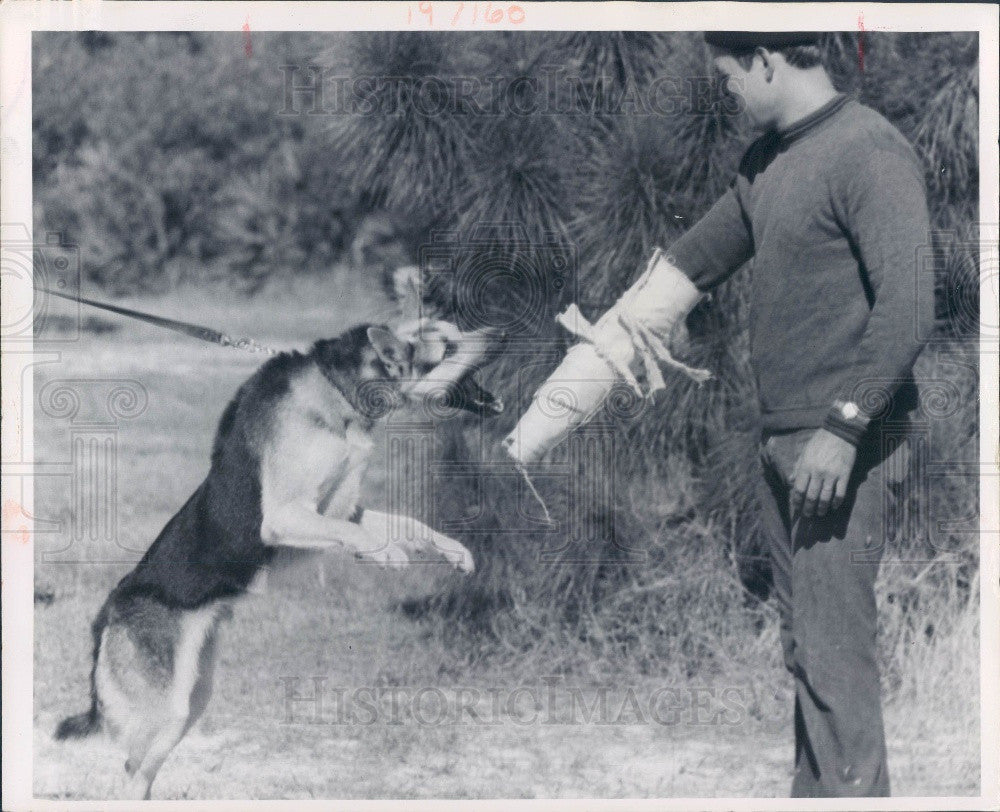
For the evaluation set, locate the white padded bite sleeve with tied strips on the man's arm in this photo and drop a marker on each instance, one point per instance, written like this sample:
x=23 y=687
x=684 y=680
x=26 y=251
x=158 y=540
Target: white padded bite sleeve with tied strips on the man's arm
x=637 y=328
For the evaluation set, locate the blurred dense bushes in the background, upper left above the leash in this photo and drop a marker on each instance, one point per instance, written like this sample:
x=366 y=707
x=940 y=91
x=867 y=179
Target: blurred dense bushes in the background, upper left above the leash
x=166 y=157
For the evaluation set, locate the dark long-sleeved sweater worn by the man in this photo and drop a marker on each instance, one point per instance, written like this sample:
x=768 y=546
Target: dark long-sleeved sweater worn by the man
x=833 y=212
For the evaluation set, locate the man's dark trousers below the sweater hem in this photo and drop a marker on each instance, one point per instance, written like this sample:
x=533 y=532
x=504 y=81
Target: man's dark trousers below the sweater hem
x=824 y=580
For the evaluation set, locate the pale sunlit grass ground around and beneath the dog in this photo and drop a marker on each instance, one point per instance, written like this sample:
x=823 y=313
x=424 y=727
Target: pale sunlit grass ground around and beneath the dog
x=472 y=734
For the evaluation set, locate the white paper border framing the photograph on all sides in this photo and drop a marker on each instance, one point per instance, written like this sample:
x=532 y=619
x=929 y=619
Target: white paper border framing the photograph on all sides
x=18 y=19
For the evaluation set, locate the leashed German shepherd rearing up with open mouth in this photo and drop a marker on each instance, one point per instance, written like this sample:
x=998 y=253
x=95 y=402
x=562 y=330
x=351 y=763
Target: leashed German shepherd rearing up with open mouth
x=287 y=463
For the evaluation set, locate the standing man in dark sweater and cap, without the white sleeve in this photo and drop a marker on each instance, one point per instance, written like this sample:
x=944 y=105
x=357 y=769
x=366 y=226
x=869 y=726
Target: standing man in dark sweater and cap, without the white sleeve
x=830 y=204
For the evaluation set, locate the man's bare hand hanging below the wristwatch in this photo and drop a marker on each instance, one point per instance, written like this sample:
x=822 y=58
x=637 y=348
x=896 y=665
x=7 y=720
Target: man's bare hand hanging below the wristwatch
x=819 y=481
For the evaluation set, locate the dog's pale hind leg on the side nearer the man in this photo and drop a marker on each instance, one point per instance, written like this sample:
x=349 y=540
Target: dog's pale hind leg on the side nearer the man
x=186 y=699
